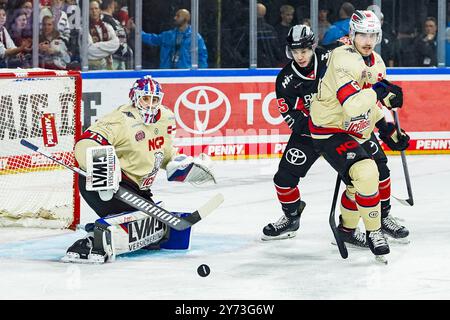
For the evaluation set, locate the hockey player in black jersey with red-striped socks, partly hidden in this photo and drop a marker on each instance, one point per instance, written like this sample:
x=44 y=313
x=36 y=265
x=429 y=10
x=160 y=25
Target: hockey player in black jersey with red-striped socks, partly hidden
x=295 y=85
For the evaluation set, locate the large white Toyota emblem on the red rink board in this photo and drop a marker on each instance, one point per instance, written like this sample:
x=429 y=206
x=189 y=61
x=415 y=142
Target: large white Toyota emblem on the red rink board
x=202 y=105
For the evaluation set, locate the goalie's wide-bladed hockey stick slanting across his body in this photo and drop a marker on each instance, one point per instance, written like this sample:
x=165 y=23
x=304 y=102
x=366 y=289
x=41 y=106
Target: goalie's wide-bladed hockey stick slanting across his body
x=139 y=203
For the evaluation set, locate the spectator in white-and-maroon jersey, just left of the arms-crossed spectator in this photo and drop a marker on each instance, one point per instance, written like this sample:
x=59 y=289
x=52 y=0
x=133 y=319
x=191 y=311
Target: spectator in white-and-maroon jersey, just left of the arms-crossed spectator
x=53 y=52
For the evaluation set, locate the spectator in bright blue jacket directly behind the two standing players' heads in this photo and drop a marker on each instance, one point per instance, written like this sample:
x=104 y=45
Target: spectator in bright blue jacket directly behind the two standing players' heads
x=340 y=28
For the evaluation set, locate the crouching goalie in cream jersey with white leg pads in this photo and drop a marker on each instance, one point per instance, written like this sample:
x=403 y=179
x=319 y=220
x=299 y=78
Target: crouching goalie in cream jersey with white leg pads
x=138 y=137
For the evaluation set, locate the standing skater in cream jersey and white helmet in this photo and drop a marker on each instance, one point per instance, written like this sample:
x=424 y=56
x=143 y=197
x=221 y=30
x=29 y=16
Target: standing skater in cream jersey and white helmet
x=343 y=117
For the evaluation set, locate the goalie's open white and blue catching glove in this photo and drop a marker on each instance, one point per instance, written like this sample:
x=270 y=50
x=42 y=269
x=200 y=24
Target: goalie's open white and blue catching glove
x=185 y=168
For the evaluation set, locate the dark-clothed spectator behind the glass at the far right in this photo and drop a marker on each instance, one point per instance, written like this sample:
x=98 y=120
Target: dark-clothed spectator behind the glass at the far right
x=426 y=44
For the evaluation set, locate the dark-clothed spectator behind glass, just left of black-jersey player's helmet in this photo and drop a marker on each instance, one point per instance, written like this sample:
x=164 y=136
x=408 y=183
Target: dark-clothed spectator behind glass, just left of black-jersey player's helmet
x=269 y=53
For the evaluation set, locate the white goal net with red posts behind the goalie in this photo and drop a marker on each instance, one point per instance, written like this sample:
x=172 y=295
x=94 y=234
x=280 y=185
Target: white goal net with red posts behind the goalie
x=42 y=106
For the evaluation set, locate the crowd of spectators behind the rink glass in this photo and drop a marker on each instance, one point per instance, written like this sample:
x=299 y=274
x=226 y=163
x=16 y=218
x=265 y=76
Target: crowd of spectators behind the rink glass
x=409 y=32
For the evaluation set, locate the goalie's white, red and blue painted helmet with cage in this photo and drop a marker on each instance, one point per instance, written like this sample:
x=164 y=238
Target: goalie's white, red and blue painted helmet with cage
x=143 y=87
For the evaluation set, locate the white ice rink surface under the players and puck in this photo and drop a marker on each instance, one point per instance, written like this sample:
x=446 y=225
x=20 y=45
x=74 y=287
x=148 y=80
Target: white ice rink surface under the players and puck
x=242 y=266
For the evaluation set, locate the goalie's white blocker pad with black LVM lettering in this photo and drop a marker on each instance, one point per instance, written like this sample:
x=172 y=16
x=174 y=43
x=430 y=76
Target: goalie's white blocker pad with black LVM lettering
x=103 y=172
